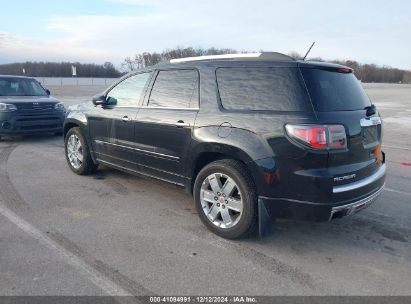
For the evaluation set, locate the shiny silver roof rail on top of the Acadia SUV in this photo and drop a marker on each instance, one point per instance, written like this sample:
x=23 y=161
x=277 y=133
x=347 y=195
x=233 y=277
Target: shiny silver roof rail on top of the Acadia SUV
x=246 y=56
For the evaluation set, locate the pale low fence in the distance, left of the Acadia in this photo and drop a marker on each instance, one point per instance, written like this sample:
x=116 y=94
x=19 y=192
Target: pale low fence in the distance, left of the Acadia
x=75 y=81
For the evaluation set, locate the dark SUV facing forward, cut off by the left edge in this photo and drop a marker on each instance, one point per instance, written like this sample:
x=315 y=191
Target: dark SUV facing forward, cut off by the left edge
x=26 y=107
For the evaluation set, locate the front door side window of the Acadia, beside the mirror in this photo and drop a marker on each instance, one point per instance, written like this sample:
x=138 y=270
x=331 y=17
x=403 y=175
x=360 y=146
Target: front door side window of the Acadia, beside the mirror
x=128 y=92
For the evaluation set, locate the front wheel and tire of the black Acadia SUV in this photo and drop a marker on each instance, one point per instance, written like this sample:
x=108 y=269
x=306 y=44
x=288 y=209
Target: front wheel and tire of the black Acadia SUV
x=78 y=153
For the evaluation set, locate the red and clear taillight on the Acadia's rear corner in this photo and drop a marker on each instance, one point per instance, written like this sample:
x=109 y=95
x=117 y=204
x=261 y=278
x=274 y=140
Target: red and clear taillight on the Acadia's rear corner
x=321 y=137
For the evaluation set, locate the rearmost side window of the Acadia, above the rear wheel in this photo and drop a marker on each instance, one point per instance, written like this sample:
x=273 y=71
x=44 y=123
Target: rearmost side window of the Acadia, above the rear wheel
x=262 y=89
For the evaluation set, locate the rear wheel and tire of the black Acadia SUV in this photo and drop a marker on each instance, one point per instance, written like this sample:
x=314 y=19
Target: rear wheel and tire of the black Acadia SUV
x=238 y=201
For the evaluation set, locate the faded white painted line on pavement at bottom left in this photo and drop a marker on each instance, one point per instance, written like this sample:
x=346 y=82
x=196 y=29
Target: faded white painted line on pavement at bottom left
x=108 y=286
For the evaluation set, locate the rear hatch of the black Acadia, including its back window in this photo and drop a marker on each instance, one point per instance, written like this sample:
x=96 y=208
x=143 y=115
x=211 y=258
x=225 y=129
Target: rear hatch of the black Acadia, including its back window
x=339 y=99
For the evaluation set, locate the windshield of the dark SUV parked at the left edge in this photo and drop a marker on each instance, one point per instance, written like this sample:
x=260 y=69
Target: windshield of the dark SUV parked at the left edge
x=21 y=87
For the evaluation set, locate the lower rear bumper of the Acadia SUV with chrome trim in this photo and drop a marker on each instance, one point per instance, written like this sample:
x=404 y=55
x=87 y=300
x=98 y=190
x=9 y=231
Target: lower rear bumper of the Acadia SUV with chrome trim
x=321 y=212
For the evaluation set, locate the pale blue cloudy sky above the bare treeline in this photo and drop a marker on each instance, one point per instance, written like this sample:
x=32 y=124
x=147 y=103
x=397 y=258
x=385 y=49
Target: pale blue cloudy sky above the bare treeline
x=370 y=31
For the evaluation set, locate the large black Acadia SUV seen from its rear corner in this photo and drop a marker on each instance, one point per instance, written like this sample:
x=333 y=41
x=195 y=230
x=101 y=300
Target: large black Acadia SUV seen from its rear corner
x=237 y=131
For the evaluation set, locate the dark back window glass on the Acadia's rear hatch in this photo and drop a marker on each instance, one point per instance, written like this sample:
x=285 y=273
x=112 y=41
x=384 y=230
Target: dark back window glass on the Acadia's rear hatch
x=333 y=91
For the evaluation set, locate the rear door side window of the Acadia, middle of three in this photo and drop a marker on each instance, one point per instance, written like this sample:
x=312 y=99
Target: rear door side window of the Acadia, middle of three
x=175 y=89
